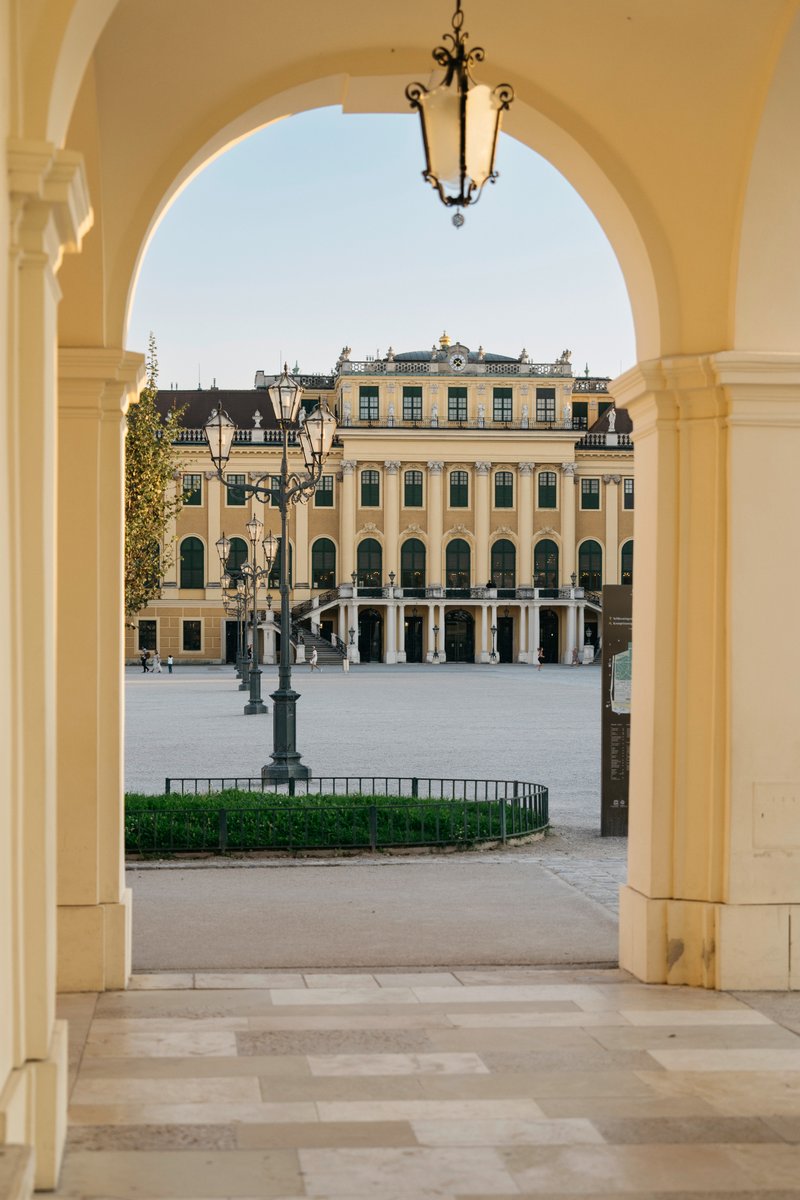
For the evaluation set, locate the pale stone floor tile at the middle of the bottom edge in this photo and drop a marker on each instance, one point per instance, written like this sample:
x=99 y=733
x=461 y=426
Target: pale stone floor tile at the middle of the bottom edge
x=419 y=1173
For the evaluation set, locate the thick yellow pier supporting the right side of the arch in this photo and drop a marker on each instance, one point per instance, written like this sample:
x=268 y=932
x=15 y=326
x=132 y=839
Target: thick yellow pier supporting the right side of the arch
x=714 y=851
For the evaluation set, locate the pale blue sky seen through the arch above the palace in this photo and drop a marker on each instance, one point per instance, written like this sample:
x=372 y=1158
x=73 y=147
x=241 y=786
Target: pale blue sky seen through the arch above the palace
x=320 y=232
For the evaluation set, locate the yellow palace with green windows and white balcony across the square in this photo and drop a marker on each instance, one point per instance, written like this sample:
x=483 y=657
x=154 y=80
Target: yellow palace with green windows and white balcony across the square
x=472 y=511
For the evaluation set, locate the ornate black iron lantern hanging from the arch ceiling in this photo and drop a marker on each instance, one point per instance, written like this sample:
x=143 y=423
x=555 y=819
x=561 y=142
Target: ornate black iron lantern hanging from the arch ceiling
x=461 y=122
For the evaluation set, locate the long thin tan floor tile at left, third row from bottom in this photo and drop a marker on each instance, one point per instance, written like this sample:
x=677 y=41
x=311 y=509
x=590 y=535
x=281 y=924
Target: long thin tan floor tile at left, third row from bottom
x=225 y=1114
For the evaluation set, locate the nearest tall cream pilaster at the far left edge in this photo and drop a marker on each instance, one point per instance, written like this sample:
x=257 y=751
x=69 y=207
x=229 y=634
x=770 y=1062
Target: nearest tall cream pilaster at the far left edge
x=49 y=214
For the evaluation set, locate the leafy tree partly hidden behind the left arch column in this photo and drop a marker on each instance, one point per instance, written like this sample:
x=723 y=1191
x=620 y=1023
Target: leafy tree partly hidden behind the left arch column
x=152 y=496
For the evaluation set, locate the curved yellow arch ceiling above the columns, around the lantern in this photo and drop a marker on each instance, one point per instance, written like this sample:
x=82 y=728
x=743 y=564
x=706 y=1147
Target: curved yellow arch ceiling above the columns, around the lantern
x=663 y=100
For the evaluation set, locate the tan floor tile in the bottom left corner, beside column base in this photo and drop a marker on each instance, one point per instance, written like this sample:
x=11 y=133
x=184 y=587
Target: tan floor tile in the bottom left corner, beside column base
x=181 y=1175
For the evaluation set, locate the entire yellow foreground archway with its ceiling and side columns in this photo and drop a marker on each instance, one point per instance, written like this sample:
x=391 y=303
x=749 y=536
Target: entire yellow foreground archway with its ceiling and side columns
x=714 y=879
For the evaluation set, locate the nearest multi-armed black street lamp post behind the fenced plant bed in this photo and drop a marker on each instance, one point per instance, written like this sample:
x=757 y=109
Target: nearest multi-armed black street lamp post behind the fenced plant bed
x=316 y=439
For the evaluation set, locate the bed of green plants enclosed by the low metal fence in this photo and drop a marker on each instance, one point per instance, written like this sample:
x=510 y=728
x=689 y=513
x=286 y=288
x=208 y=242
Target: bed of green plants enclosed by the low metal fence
x=234 y=820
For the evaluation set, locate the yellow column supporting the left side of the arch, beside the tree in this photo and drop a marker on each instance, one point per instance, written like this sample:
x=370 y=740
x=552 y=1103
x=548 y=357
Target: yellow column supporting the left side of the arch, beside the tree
x=95 y=386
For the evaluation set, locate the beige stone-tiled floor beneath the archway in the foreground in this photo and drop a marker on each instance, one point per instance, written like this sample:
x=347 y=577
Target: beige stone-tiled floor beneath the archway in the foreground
x=443 y=1084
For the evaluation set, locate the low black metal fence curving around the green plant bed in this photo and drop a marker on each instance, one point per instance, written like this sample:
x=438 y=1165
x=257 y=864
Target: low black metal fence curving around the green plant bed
x=336 y=813
